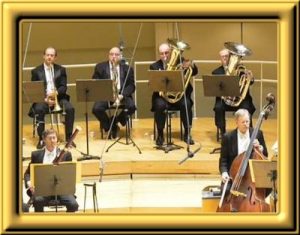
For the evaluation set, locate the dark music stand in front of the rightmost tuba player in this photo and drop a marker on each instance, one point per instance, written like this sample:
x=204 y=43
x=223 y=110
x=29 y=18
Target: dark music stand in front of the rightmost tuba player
x=220 y=85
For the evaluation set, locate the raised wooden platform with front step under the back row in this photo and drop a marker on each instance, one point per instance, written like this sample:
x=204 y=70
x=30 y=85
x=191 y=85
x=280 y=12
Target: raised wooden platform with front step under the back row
x=126 y=159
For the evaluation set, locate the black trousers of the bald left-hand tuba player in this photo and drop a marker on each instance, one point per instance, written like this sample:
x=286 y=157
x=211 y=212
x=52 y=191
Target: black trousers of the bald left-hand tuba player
x=160 y=105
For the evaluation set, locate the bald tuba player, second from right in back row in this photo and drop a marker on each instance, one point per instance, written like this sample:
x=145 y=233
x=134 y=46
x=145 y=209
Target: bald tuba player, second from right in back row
x=159 y=104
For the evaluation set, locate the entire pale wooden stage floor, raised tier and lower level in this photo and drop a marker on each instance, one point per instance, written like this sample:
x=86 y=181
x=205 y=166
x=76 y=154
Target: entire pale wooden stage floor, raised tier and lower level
x=153 y=181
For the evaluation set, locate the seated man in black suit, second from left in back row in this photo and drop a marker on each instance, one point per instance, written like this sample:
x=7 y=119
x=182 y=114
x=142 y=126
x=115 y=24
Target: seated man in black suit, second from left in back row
x=116 y=69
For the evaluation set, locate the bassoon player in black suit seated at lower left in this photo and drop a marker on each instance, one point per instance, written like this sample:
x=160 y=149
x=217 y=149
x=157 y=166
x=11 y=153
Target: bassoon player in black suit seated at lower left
x=46 y=156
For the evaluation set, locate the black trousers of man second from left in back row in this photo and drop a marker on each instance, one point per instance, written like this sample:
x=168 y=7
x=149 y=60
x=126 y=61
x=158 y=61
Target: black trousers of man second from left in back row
x=100 y=107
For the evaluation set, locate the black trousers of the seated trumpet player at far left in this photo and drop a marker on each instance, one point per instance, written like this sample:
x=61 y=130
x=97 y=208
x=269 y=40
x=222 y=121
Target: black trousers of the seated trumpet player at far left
x=41 y=109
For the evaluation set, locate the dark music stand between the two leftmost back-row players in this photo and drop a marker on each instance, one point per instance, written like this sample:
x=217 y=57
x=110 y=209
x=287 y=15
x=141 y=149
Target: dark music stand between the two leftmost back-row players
x=91 y=90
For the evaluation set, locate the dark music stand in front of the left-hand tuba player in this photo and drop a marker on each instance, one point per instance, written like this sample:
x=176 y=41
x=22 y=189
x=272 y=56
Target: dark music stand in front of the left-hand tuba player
x=166 y=81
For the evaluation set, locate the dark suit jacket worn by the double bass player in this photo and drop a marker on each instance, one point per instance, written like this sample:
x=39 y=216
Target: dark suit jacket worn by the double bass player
x=229 y=148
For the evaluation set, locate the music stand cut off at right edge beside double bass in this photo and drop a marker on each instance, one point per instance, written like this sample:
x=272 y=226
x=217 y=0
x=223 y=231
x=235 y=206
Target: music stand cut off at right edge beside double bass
x=264 y=175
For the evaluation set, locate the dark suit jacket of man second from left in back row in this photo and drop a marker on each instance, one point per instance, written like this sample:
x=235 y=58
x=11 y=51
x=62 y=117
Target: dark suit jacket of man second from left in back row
x=102 y=71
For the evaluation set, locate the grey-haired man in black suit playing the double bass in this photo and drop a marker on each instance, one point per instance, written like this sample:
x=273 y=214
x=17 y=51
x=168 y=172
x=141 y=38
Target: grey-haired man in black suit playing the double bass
x=237 y=141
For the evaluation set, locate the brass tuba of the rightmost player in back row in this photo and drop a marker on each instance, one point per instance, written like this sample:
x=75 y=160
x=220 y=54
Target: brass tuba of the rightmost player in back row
x=235 y=68
